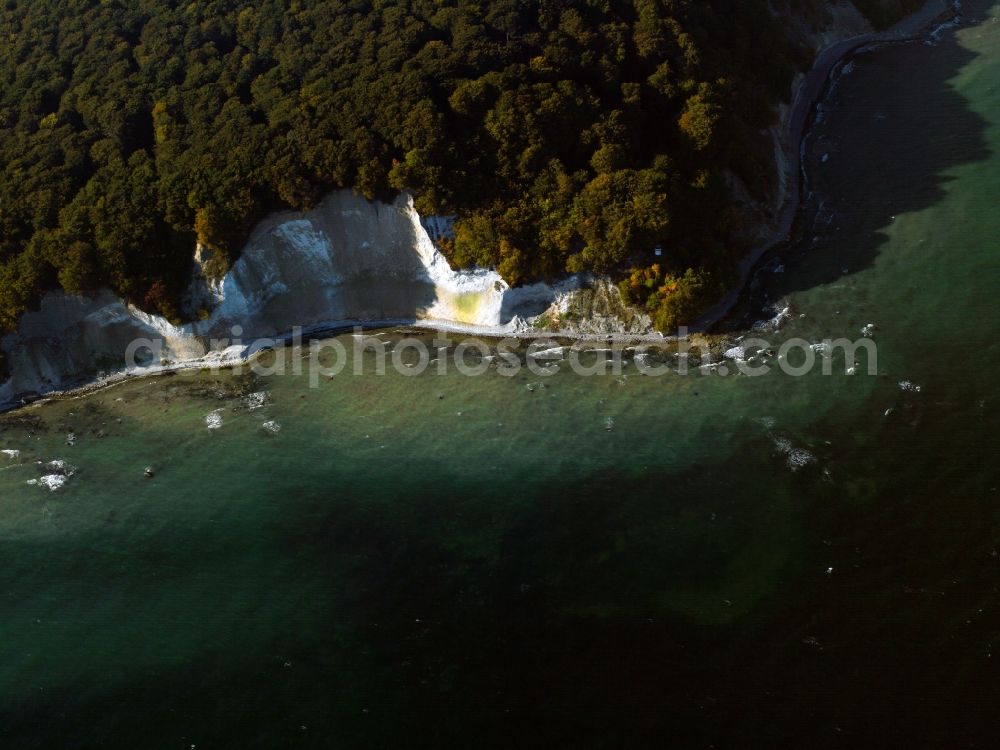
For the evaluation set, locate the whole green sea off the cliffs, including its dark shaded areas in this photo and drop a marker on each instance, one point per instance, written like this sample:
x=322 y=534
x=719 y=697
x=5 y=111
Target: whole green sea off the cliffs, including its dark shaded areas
x=452 y=561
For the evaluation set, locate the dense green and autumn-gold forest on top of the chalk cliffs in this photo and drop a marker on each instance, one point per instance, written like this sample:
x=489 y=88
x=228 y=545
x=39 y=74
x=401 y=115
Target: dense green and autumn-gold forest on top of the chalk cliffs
x=567 y=136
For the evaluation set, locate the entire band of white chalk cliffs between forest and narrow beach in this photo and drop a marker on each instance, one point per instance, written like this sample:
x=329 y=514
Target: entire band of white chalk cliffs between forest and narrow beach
x=349 y=260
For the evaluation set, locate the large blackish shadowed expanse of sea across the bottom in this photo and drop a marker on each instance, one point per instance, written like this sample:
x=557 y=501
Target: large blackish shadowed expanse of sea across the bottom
x=453 y=618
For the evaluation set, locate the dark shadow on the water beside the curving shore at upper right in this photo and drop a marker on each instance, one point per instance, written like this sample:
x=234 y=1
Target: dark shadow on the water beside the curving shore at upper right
x=894 y=128
